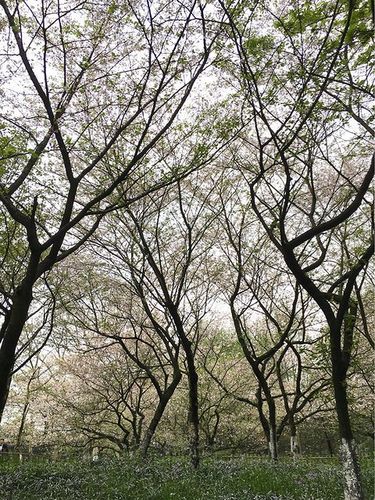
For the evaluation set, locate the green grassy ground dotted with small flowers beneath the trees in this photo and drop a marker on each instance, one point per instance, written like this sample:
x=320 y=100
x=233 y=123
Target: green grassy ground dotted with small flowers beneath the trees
x=171 y=478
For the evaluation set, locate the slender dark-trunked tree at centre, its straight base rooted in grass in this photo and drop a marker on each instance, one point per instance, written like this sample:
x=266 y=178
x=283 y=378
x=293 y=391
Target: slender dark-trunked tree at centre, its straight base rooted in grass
x=174 y=274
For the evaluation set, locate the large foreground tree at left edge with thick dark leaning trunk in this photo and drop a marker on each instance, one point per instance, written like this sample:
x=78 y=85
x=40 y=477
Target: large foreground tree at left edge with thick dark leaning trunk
x=100 y=90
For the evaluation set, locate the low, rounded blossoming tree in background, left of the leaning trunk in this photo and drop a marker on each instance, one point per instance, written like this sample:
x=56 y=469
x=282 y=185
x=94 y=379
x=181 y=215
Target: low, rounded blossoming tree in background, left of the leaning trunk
x=110 y=402
